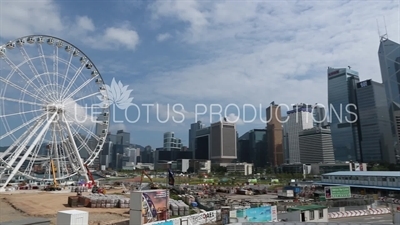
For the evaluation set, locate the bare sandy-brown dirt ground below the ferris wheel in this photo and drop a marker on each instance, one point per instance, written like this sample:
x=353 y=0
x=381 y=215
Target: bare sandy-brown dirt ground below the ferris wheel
x=22 y=205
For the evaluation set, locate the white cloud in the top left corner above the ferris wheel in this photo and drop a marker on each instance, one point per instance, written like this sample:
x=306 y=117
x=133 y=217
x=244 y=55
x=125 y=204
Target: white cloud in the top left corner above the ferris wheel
x=19 y=19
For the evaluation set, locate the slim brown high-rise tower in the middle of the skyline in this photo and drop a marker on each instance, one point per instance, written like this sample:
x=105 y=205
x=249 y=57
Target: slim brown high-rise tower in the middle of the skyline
x=274 y=135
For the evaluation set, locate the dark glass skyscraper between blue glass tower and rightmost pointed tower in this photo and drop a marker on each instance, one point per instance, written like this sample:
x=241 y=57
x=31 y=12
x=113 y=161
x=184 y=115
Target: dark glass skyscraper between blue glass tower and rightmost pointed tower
x=376 y=136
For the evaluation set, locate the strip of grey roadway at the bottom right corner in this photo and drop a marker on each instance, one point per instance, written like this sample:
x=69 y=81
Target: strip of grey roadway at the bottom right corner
x=371 y=219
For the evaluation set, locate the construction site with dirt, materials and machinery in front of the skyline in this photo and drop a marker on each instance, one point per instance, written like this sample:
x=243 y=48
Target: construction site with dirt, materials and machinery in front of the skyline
x=108 y=202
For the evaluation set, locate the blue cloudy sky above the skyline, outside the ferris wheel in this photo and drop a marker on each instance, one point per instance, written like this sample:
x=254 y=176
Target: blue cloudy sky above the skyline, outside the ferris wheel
x=188 y=53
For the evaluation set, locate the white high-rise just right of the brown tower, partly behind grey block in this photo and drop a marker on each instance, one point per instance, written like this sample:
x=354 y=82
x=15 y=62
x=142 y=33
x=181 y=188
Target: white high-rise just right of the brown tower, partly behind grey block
x=299 y=119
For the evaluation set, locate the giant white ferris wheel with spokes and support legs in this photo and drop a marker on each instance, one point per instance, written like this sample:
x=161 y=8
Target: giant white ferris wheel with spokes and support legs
x=54 y=113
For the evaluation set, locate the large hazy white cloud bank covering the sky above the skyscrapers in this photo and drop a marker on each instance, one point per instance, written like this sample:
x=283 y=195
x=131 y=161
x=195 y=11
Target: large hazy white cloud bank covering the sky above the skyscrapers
x=269 y=51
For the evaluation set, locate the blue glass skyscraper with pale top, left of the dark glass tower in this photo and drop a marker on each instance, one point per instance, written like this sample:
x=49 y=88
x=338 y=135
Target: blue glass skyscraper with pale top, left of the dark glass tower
x=343 y=110
